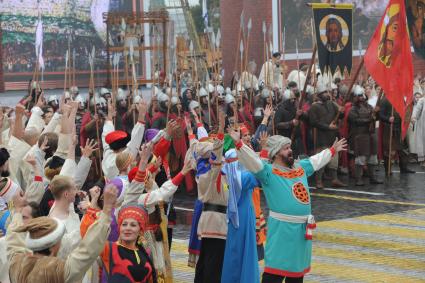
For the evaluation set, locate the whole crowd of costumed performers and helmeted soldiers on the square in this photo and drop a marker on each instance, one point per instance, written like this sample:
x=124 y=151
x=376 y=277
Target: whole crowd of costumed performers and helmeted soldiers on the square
x=87 y=186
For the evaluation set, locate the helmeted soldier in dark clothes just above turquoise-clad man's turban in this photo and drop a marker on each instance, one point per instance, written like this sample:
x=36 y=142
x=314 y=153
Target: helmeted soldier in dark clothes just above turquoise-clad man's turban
x=287 y=120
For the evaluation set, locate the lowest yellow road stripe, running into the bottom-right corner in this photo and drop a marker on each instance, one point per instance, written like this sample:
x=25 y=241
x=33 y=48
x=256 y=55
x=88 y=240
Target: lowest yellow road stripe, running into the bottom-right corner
x=358 y=274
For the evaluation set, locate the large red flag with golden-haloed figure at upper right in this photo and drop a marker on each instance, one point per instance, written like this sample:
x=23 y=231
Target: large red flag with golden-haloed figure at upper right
x=388 y=60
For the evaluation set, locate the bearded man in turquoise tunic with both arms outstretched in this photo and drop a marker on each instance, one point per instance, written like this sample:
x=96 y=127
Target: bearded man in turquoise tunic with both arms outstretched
x=285 y=186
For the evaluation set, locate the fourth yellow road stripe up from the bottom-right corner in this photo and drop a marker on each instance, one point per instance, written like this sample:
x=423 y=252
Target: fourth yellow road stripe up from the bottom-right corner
x=356 y=227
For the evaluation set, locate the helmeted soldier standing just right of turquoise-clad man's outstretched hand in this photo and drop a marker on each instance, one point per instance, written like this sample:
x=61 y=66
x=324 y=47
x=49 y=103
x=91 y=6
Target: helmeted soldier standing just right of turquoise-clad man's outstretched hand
x=361 y=138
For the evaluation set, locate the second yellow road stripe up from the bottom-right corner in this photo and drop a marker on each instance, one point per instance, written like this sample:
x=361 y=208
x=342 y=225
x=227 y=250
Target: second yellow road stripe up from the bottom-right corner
x=373 y=258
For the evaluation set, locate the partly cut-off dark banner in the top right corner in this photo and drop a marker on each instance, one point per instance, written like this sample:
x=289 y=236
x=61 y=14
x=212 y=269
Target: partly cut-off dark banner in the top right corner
x=415 y=11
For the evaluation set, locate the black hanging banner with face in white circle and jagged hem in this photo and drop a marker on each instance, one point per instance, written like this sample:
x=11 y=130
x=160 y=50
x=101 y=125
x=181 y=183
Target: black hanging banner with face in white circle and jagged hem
x=334 y=36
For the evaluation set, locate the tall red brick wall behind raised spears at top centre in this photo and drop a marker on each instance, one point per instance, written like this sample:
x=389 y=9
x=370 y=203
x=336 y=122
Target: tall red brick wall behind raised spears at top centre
x=259 y=11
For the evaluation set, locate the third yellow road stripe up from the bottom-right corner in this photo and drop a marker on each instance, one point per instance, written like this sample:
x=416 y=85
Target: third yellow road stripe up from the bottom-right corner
x=368 y=243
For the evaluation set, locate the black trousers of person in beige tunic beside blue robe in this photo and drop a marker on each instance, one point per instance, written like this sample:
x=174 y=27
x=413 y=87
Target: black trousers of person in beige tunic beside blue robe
x=210 y=262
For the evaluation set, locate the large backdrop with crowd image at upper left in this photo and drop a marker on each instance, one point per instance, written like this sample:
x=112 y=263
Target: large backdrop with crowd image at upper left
x=80 y=20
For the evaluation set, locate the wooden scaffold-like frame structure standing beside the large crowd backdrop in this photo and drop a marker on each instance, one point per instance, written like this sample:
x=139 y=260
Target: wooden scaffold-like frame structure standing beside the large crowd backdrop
x=136 y=48
